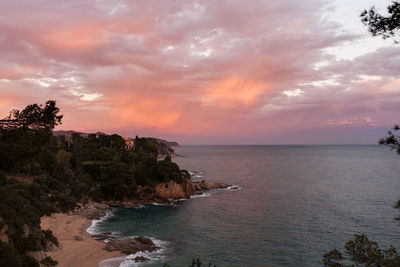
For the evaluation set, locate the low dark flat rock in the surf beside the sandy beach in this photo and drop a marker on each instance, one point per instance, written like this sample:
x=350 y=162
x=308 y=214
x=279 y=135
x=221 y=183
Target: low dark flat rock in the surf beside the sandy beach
x=131 y=245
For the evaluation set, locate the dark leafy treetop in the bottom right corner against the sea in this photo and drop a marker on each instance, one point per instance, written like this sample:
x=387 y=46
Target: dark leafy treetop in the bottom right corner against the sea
x=362 y=252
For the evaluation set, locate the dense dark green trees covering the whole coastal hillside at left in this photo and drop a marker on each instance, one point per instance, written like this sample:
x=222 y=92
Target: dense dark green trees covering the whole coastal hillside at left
x=42 y=173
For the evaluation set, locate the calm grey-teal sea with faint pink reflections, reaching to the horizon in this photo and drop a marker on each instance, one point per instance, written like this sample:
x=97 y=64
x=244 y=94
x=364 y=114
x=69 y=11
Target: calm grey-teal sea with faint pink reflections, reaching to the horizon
x=294 y=204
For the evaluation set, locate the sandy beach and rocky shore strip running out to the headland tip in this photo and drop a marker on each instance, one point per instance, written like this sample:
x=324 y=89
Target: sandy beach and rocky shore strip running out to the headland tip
x=76 y=244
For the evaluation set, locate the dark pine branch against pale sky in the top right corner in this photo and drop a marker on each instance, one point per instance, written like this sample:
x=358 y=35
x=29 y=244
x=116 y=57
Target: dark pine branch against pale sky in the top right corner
x=379 y=25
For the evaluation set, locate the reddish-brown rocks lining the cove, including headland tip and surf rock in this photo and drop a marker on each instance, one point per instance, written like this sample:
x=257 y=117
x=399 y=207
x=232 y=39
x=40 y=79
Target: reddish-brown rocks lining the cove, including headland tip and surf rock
x=164 y=193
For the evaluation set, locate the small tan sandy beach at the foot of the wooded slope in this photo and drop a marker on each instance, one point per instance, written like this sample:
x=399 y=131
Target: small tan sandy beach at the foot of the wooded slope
x=88 y=252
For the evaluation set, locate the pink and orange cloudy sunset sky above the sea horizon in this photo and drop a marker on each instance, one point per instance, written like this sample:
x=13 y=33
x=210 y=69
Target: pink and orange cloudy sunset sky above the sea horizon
x=203 y=72
